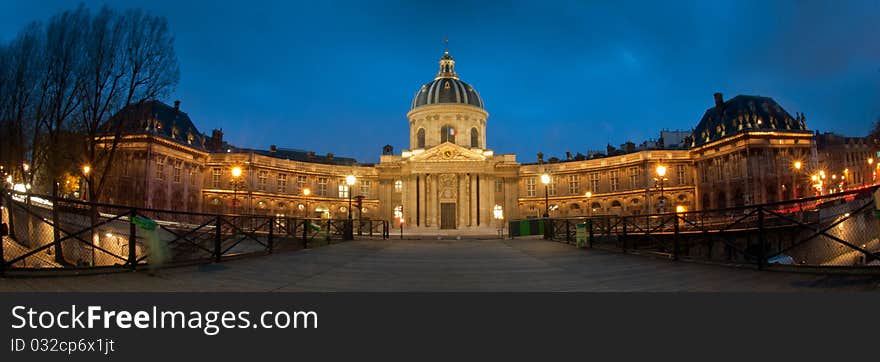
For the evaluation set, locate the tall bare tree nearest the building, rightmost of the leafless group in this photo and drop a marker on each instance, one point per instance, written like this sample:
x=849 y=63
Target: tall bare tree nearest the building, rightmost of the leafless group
x=131 y=61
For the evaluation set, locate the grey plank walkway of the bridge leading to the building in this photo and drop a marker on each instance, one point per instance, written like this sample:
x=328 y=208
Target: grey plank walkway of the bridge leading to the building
x=437 y=265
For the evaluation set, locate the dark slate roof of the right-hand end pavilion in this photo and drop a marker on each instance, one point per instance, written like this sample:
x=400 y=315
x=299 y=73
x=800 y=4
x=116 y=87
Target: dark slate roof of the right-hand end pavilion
x=744 y=113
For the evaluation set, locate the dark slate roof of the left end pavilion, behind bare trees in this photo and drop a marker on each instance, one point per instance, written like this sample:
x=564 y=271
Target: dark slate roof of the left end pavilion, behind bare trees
x=157 y=119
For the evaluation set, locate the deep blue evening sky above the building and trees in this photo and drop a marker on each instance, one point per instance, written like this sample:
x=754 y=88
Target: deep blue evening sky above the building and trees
x=338 y=76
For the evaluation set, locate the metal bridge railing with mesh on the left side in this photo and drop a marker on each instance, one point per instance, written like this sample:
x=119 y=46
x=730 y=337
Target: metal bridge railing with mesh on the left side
x=55 y=233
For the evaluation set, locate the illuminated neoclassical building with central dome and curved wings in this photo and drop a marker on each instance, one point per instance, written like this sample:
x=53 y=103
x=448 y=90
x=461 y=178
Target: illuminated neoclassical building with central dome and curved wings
x=450 y=180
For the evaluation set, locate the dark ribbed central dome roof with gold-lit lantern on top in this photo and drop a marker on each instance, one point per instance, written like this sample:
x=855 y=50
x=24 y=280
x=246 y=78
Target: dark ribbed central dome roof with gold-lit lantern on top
x=447 y=88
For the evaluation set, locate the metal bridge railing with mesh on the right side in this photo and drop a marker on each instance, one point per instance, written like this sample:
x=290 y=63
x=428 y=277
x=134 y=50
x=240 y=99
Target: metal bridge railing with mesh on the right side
x=838 y=231
